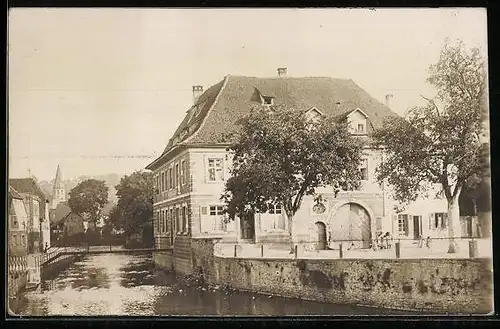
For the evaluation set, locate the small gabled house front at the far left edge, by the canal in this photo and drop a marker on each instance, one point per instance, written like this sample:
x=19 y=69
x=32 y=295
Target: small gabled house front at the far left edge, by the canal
x=17 y=224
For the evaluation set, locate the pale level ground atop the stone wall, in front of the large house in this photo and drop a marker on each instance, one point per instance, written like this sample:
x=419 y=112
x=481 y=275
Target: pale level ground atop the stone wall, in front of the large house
x=409 y=250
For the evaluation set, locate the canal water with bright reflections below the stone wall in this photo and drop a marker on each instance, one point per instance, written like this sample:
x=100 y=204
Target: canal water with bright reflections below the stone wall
x=117 y=284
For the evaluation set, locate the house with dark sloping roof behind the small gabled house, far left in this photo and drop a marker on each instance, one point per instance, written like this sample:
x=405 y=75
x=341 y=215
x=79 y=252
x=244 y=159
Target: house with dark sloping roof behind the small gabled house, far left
x=36 y=204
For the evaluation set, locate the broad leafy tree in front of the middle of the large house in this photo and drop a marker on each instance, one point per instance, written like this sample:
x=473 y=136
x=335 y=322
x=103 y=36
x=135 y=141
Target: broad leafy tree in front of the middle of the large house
x=280 y=156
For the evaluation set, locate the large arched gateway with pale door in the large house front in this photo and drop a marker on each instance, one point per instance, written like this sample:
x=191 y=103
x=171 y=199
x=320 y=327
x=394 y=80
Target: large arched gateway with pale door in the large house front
x=351 y=221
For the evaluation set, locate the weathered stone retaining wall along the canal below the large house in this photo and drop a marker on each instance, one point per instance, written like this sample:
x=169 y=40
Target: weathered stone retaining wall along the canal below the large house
x=438 y=286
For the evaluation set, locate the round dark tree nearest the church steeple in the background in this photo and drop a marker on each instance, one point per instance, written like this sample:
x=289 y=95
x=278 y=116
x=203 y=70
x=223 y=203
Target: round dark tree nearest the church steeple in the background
x=88 y=198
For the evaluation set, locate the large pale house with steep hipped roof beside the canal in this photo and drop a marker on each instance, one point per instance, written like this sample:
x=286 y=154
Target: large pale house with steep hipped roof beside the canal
x=190 y=174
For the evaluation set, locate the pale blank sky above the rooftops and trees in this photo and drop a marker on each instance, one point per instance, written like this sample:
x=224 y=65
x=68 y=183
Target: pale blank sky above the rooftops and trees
x=101 y=91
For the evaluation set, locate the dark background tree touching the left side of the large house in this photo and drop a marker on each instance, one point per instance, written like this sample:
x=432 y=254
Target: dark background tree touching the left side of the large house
x=134 y=210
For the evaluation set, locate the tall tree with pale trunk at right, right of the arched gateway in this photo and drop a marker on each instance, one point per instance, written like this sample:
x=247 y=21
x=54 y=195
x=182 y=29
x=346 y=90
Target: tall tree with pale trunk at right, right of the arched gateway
x=439 y=143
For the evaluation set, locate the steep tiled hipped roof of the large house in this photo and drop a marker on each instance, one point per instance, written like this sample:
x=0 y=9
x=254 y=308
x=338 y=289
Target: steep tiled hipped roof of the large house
x=215 y=114
